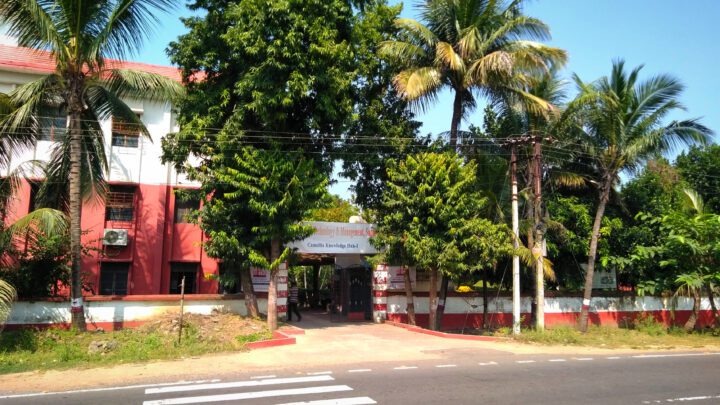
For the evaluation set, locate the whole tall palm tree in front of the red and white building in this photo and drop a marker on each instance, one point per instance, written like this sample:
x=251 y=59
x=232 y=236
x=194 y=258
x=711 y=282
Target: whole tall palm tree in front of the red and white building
x=80 y=36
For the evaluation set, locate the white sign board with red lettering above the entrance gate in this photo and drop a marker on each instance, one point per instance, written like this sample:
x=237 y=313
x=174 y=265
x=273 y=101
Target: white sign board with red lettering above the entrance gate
x=337 y=238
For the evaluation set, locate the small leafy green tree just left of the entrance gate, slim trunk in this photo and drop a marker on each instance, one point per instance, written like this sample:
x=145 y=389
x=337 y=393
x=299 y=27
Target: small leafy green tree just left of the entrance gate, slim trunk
x=259 y=198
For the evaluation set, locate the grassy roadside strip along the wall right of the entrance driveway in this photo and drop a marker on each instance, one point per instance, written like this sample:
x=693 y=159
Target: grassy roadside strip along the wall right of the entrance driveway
x=643 y=336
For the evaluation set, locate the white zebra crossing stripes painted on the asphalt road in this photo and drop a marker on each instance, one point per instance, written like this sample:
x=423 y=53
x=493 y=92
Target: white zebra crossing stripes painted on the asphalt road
x=208 y=396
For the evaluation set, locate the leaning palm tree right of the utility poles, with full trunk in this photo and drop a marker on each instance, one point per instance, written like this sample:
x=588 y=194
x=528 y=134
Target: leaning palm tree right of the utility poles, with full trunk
x=624 y=125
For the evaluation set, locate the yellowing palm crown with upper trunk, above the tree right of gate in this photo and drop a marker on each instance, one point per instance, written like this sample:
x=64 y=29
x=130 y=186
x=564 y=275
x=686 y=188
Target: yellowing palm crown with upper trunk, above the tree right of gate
x=473 y=47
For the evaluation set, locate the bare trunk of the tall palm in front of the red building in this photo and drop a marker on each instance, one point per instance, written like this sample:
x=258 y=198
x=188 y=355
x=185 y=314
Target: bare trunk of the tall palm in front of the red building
x=75 y=108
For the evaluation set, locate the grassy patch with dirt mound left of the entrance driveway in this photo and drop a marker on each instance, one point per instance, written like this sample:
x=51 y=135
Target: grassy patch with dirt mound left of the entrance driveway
x=32 y=349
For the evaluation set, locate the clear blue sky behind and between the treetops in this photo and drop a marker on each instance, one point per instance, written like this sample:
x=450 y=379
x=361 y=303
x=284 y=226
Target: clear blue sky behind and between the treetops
x=681 y=38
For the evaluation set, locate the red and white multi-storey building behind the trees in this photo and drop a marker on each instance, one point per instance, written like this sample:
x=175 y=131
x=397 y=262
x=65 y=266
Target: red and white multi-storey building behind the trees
x=154 y=246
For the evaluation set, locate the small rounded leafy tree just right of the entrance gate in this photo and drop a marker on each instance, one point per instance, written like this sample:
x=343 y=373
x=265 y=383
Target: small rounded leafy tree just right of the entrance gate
x=430 y=199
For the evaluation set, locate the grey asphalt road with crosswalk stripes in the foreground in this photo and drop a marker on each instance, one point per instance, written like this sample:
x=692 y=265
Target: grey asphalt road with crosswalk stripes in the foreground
x=459 y=377
